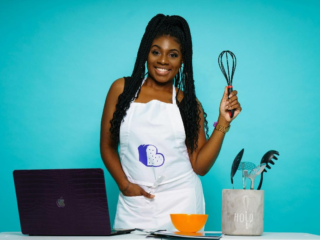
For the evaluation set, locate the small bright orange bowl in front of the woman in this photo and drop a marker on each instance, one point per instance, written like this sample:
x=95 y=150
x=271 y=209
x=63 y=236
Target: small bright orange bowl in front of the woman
x=189 y=223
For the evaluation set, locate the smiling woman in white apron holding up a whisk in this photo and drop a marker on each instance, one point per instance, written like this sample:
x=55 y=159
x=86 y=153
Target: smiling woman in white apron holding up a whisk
x=160 y=126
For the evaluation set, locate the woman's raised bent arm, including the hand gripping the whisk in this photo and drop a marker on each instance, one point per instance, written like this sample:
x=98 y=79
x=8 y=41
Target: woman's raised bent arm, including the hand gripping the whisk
x=207 y=153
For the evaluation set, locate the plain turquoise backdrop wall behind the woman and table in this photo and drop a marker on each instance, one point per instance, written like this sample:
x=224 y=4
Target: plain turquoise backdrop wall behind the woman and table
x=59 y=58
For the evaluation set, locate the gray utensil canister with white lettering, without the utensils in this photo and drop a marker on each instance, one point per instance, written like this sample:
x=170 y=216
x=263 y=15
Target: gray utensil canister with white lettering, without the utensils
x=242 y=212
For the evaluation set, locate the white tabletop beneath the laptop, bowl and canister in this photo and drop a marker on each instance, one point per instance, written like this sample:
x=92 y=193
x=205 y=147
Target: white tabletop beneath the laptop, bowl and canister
x=139 y=236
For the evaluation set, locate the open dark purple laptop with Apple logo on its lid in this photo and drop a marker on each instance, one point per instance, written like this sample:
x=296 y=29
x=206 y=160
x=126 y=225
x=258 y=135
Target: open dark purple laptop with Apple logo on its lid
x=63 y=202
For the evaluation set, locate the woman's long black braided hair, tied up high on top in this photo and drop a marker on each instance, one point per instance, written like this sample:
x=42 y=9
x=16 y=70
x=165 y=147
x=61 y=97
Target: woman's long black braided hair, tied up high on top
x=178 y=28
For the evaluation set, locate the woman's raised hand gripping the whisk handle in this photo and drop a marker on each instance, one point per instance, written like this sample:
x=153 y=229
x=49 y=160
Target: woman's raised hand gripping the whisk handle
x=228 y=104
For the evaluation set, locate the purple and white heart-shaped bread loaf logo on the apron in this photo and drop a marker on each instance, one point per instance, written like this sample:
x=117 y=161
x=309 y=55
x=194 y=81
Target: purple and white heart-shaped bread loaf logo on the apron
x=149 y=156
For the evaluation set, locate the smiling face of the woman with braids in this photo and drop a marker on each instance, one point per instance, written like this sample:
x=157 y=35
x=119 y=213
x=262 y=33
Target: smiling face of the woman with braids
x=164 y=59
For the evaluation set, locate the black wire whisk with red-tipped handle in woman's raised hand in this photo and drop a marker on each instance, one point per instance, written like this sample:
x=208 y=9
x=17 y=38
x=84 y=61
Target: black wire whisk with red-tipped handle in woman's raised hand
x=227 y=75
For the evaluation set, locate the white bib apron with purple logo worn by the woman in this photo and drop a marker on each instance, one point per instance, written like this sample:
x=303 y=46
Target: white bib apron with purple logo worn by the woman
x=153 y=155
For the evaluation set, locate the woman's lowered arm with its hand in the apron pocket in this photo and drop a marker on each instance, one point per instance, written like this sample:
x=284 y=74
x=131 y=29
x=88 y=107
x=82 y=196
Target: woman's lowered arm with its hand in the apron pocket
x=109 y=150
